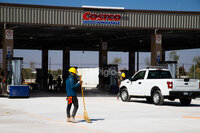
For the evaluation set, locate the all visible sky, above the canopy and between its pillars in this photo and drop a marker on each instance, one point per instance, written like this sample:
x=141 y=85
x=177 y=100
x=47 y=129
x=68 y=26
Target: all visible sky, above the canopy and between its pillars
x=88 y=59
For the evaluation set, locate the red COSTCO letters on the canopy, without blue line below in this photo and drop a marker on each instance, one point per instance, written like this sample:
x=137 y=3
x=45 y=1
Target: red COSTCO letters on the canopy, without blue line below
x=109 y=17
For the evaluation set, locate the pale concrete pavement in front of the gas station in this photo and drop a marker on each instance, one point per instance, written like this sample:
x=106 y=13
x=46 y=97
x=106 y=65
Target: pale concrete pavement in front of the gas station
x=47 y=115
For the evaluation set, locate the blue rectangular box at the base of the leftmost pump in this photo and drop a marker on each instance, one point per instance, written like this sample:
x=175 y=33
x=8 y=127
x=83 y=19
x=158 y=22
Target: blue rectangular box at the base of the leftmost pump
x=19 y=91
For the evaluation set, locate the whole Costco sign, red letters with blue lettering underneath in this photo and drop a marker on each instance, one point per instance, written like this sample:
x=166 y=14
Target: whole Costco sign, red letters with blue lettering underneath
x=93 y=18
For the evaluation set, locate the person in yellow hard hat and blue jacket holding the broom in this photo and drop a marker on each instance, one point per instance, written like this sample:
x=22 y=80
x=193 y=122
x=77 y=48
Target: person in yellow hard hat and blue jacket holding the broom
x=71 y=84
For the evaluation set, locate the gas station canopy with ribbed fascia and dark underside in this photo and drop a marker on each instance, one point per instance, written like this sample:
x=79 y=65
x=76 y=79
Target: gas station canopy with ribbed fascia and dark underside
x=38 y=27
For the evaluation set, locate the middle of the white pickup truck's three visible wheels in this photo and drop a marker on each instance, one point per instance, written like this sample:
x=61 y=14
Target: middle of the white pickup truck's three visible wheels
x=158 y=99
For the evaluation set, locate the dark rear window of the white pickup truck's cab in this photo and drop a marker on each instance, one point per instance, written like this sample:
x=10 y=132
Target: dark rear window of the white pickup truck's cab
x=159 y=74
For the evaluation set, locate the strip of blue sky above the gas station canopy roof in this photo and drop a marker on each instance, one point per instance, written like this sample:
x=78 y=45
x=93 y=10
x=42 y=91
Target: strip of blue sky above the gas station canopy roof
x=184 y=5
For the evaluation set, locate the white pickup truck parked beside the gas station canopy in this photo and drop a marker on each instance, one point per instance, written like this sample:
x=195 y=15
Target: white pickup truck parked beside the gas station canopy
x=156 y=84
